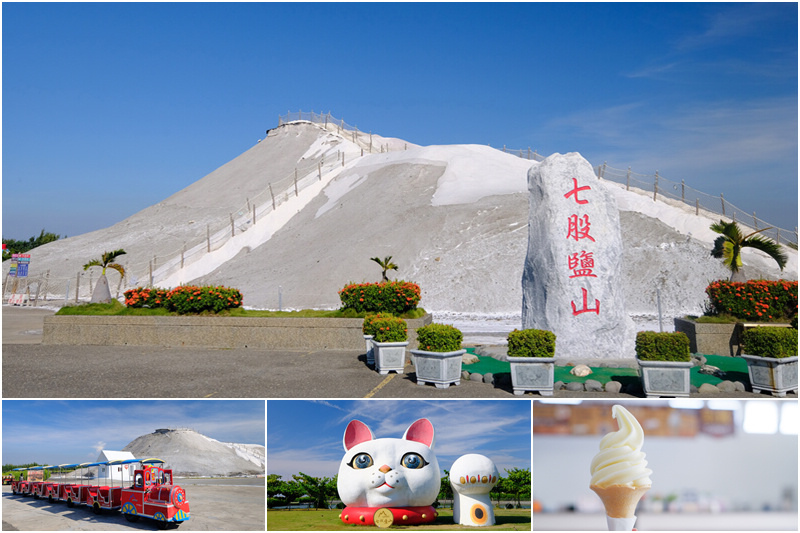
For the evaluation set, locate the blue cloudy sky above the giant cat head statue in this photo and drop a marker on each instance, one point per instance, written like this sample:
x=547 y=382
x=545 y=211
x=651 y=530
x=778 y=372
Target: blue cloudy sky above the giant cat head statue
x=306 y=436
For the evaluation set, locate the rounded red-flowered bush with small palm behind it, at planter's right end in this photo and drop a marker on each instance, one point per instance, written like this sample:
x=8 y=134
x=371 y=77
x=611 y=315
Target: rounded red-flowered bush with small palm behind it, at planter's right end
x=395 y=297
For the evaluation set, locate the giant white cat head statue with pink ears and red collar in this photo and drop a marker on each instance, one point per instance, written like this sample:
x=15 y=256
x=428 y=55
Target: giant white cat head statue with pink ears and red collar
x=388 y=481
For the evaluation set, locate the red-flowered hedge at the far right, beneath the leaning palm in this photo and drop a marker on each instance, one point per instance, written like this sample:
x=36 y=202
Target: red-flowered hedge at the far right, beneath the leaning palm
x=754 y=300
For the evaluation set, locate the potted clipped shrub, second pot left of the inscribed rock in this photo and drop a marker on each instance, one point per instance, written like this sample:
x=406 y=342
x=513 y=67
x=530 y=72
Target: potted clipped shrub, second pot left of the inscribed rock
x=438 y=358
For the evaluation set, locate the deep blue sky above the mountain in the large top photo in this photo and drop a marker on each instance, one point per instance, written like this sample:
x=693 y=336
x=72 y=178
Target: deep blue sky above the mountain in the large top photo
x=109 y=108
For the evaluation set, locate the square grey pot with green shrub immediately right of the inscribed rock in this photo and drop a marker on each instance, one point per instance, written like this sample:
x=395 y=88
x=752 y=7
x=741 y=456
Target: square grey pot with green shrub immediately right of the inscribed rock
x=664 y=363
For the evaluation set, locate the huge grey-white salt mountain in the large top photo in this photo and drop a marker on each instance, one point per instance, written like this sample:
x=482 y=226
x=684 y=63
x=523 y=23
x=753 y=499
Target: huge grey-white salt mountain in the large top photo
x=454 y=218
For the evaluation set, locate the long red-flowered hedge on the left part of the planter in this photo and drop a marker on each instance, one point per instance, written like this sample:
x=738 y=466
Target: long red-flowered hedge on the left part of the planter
x=185 y=299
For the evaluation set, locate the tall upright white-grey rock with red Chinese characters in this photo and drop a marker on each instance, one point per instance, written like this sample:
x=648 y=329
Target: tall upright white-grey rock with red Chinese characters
x=572 y=278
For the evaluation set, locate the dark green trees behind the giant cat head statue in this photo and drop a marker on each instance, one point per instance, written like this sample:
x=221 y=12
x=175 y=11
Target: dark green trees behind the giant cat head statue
x=319 y=492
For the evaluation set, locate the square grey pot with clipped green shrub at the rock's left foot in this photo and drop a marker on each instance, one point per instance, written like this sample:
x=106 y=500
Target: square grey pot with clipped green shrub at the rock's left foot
x=531 y=355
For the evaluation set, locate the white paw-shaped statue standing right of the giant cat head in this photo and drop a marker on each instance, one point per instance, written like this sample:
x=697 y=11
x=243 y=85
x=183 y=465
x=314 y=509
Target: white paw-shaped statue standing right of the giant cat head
x=472 y=477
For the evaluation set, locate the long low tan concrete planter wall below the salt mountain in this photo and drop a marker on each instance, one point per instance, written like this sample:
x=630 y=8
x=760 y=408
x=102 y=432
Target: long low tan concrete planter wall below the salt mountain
x=213 y=332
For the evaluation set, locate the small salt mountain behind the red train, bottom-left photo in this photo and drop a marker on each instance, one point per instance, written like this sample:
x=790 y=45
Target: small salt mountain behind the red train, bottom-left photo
x=190 y=453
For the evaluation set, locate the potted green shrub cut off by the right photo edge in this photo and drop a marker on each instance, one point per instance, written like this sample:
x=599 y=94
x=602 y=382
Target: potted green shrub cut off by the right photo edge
x=771 y=359
